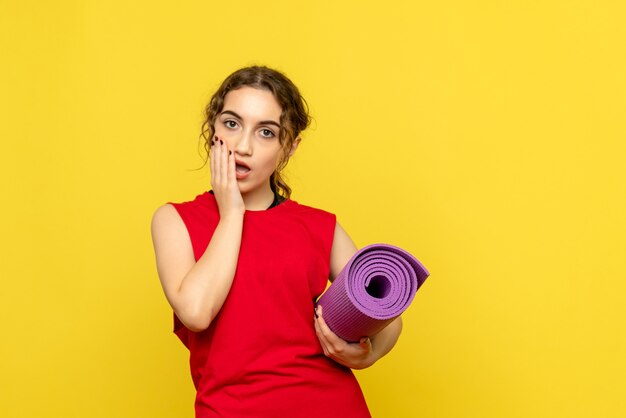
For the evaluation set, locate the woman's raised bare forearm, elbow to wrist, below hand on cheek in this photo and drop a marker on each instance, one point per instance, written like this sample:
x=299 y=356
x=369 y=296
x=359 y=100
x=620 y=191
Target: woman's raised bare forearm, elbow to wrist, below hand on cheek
x=204 y=289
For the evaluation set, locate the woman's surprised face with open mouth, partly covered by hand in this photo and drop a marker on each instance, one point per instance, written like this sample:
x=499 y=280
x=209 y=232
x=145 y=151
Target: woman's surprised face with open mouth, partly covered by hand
x=249 y=124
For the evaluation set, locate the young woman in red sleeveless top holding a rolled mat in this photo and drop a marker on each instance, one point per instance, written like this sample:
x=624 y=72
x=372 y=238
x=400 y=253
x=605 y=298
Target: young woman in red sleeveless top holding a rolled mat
x=243 y=264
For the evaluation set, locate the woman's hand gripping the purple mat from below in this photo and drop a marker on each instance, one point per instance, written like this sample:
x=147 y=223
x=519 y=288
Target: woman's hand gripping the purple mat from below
x=354 y=355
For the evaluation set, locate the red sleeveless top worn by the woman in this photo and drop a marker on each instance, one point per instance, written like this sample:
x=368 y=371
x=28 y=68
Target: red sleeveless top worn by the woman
x=260 y=357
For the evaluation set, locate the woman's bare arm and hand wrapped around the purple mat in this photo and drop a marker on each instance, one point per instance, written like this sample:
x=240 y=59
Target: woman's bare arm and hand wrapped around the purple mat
x=369 y=350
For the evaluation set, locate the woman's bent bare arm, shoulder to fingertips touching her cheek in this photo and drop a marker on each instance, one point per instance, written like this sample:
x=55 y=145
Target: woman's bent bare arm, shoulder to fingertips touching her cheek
x=197 y=291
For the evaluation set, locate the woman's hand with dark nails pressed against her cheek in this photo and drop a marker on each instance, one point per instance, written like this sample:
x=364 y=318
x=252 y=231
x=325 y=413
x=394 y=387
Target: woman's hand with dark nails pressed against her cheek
x=224 y=180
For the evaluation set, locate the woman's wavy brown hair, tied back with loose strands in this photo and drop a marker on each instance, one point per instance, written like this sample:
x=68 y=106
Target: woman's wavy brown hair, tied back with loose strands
x=294 y=117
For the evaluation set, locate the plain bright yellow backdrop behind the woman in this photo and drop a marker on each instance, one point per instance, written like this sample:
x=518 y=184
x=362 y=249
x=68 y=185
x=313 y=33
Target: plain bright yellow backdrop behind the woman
x=487 y=138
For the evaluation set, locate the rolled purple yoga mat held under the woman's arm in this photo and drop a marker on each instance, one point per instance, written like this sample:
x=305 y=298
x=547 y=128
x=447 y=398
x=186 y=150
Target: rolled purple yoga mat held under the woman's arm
x=377 y=284
